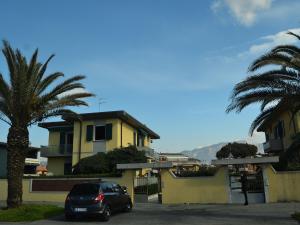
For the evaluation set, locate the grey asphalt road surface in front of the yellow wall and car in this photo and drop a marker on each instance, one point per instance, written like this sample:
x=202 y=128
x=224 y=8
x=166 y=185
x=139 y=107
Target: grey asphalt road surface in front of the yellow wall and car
x=155 y=214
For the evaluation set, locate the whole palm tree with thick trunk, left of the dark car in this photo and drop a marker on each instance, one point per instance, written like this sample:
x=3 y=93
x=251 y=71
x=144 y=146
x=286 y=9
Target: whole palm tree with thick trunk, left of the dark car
x=26 y=99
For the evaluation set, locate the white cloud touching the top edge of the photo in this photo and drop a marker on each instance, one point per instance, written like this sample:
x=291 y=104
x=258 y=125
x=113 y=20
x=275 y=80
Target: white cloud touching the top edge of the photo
x=245 y=11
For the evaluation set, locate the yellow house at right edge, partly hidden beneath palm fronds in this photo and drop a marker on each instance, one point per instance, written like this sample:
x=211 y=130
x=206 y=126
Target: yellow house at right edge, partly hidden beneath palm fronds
x=280 y=129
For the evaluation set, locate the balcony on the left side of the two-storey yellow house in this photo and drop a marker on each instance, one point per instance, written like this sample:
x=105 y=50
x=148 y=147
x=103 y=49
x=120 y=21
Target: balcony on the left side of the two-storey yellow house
x=57 y=150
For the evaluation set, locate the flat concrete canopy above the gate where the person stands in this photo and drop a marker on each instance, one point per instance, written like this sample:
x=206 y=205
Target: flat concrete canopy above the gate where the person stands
x=248 y=160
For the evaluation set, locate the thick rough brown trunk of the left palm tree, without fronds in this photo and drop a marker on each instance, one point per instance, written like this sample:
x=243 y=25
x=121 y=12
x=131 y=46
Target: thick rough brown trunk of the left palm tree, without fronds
x=17 y=146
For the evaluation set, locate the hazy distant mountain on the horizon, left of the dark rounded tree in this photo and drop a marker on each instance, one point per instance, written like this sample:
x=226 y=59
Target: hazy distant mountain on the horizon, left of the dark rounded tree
x=208 y=153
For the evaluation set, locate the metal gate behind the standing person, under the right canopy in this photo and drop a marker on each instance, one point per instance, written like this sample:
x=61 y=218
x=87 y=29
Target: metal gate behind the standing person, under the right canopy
x=255 y=188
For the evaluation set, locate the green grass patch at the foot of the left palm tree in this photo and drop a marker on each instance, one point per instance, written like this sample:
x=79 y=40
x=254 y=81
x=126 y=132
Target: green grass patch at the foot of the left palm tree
x=30 y=213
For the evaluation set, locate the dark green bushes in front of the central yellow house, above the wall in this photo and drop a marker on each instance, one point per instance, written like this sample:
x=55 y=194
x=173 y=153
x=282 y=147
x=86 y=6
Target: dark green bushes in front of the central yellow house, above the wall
x=106 y=162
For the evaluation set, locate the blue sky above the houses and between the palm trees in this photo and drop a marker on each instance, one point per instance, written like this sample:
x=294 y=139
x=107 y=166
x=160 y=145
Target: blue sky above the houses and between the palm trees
x=171 y=64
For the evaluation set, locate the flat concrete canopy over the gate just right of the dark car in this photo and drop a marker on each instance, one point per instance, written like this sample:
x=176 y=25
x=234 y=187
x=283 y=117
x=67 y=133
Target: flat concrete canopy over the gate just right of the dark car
x=155 y=165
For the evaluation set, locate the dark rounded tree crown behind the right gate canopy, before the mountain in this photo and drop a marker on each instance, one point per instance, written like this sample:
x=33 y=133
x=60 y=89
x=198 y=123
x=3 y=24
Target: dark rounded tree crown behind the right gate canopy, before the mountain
x=237 y=150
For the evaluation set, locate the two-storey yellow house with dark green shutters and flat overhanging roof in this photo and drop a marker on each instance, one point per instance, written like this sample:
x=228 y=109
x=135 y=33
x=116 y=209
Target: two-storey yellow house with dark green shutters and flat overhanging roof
x=89 y=133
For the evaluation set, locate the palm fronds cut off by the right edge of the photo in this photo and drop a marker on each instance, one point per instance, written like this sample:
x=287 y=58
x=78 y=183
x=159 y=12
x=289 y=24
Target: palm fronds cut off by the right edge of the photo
x=272 y=89
